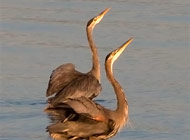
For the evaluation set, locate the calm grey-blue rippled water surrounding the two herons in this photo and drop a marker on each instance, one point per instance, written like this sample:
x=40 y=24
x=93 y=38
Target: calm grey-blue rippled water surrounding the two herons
x=38 y=35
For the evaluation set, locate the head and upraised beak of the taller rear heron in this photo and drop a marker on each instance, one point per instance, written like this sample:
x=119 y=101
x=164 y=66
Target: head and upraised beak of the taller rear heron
x=91 y=23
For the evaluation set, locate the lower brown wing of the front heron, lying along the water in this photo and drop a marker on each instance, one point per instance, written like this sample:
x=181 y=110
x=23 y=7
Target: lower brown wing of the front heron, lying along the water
x=77 y=129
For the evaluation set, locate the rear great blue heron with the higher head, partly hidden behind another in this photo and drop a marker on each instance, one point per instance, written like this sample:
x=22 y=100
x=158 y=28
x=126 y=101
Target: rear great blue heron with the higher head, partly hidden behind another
x=67 y=82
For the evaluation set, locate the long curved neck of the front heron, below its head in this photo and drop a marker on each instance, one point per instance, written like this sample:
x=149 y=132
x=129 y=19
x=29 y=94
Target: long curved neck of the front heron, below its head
x=122 y=104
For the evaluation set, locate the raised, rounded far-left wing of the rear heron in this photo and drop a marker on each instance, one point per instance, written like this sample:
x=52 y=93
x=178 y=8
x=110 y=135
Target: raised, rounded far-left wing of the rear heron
x=60 y=77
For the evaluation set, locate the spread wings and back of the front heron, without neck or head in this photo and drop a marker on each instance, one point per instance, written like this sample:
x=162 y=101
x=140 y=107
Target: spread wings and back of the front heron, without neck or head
x=86 y=115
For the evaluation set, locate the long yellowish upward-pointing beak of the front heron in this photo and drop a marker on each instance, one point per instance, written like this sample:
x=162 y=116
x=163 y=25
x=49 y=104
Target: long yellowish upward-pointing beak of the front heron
x=119 y=50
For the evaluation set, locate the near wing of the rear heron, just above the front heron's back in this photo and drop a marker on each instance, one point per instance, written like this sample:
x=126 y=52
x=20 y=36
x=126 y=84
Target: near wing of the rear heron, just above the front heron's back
x=84 y=85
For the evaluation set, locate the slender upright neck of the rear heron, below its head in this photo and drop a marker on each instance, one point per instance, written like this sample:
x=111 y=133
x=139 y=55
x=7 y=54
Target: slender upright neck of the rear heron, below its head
x=95 y=60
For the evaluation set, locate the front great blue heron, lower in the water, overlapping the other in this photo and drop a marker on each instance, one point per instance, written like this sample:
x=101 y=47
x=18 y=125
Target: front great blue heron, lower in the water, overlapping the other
x=88 y=120
